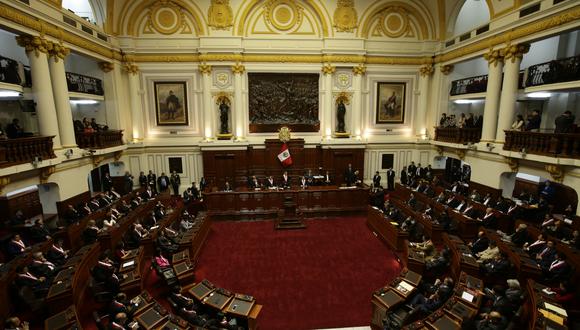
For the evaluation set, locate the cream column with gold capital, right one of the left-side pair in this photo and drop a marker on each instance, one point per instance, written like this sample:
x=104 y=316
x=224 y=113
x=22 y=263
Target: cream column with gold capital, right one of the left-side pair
x=61 y=99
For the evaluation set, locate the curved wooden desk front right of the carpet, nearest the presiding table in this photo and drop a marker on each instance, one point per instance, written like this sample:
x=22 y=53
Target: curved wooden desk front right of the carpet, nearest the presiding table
x=388 y=232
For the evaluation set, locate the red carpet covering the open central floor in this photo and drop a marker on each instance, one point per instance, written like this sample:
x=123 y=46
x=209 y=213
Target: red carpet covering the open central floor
x=320 y=277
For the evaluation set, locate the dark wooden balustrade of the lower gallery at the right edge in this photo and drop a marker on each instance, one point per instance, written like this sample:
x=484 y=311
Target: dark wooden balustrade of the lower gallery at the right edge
x=549 y=144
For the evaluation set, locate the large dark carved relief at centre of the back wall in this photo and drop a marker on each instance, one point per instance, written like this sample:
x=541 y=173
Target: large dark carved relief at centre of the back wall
x=277 y=100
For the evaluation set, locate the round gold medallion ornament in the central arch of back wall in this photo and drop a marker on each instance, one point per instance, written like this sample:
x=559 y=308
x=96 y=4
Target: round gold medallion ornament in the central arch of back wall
x=283 y=14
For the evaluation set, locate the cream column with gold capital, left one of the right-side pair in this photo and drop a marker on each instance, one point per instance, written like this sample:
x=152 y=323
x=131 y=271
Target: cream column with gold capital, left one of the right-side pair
x=490 y=110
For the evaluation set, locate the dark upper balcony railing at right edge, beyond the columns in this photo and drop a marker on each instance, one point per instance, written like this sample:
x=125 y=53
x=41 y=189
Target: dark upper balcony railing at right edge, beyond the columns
x=557 y=71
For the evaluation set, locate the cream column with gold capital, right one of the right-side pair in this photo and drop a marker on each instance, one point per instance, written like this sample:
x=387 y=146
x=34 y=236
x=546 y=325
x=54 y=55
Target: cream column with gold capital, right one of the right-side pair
x=509 y=92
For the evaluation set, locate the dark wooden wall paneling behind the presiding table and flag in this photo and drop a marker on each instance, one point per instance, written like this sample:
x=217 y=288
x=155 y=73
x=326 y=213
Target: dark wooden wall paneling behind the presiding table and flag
x=237 y=165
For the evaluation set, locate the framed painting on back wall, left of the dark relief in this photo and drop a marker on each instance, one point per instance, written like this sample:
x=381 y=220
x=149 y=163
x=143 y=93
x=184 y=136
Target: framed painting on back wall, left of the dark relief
x=171 y=103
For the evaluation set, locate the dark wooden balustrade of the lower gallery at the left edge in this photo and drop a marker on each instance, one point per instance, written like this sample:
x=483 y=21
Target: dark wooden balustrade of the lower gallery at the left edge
x=24 y=150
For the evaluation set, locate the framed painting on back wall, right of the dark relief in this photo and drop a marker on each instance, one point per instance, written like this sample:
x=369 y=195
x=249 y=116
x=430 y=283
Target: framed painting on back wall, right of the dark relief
x=390 y=103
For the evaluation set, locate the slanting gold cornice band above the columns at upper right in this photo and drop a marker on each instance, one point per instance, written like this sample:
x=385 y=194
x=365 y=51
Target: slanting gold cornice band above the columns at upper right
x=567 y=16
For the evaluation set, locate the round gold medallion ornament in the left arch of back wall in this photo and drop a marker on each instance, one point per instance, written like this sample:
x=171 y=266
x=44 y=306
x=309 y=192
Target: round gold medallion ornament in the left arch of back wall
x=166 y=17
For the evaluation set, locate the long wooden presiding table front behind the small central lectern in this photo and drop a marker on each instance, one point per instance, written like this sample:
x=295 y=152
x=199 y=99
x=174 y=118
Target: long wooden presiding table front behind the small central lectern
x=314 y=201
